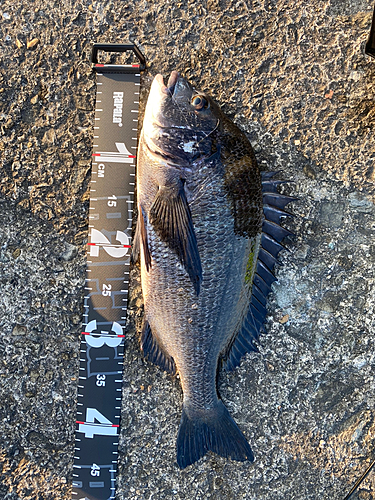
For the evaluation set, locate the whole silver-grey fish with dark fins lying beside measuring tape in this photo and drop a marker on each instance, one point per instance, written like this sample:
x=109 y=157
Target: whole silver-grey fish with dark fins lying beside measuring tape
x=208 y=236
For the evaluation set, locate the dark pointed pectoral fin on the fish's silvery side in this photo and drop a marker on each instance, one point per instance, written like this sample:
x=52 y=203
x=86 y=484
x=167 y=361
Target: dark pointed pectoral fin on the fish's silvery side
x=171 y=218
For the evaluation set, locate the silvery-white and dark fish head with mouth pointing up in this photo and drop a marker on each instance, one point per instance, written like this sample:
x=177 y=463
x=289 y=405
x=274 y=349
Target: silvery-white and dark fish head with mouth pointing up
x=180 y=122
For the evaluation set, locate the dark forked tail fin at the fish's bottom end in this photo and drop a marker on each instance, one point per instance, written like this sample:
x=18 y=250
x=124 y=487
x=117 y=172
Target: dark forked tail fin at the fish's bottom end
x=213 y=430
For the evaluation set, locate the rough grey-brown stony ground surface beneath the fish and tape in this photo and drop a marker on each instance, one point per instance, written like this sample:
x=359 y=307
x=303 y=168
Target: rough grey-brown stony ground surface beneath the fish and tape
x=293 y=75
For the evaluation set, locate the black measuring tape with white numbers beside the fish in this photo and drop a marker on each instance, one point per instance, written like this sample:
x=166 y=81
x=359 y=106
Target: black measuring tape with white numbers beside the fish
x=106 y=290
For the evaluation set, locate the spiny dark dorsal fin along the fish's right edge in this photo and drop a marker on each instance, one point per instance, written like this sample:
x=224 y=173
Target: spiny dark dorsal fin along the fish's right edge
x=272 y=235
